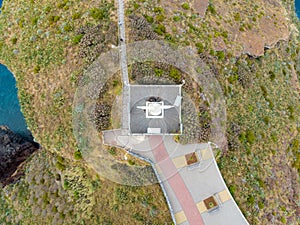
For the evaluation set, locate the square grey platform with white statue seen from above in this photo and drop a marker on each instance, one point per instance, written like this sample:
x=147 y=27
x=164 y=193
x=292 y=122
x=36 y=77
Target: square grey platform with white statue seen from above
x=148 y=100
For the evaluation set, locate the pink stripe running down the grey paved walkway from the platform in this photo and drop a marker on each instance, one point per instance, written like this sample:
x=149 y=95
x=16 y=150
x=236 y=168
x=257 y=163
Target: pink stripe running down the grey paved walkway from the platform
x=176 y=182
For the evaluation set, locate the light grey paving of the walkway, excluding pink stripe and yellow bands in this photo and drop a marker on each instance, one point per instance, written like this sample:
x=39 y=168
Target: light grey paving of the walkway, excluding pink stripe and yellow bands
x=203 y=180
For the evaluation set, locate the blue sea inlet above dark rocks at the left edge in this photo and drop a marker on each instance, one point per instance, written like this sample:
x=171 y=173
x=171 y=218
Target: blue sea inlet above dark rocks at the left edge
x=10 y=111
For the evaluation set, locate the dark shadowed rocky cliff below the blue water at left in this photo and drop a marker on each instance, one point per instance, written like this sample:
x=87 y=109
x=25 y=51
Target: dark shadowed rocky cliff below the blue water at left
x=14 y=150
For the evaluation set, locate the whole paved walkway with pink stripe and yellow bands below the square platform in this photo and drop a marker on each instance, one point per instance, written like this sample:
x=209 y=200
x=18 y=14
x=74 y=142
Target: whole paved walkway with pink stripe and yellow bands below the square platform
x=186 y=187
